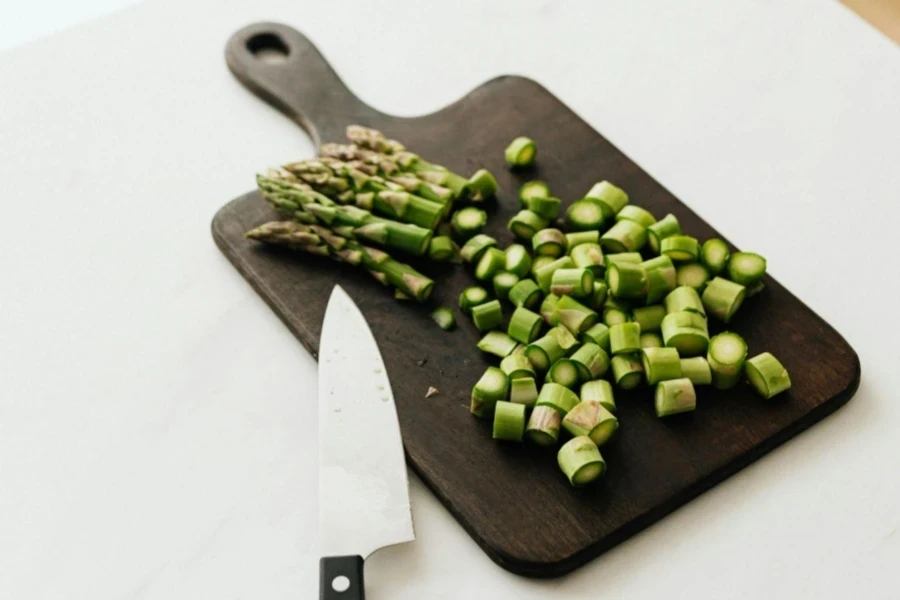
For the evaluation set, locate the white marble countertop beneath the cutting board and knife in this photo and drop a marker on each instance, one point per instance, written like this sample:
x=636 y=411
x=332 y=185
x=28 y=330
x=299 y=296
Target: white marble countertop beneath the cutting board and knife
x=157 y=422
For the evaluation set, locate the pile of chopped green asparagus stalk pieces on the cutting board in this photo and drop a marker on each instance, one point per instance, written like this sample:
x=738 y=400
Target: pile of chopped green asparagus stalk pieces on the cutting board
x=618 y=293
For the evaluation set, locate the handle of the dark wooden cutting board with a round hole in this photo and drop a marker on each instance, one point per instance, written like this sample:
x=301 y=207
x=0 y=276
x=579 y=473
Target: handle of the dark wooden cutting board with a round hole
x=280 y=65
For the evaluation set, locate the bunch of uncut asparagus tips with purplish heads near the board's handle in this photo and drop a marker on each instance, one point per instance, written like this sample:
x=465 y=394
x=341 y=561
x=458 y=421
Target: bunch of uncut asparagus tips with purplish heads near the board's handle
x=371 y=191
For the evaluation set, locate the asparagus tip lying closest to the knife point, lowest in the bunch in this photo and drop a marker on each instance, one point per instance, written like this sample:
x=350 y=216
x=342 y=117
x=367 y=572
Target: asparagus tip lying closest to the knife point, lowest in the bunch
x=401 y=276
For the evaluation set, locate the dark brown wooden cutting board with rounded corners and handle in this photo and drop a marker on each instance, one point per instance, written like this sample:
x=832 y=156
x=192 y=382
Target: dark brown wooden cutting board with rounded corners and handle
x=512 y=499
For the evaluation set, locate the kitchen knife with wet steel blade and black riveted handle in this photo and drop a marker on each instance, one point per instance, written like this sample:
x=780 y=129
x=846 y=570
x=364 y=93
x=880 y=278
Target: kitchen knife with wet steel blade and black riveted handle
x=363 y=490
